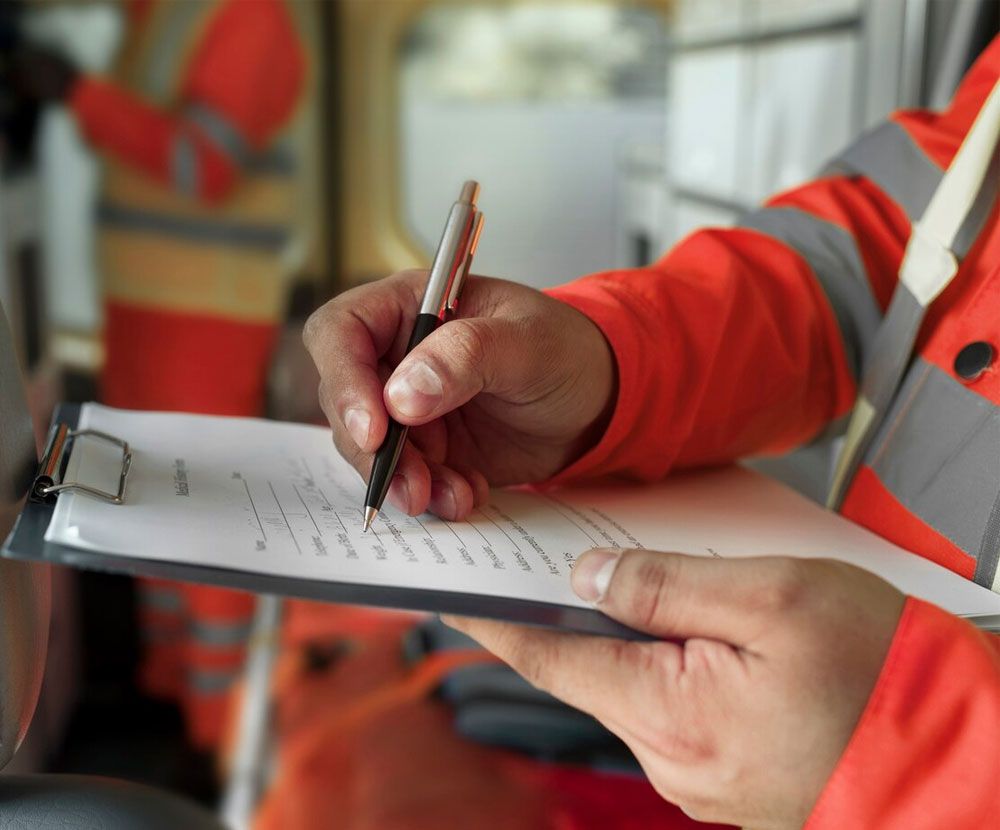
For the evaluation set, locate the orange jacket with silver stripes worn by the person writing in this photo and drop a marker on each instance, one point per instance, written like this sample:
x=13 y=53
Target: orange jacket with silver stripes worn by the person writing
x=752 y=339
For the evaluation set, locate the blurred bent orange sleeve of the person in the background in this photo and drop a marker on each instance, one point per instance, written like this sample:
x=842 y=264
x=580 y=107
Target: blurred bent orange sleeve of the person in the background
x=248 y=70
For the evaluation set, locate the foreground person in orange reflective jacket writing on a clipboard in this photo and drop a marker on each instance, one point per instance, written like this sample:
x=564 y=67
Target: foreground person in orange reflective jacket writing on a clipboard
x=802 y=692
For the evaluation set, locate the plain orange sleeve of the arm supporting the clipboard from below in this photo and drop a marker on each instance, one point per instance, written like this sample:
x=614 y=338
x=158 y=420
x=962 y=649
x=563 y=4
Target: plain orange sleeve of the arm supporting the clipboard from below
x=926 y=752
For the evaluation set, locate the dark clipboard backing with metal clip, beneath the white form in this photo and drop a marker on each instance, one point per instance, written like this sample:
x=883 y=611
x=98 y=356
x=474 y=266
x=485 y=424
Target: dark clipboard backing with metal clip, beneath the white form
x=27 y=542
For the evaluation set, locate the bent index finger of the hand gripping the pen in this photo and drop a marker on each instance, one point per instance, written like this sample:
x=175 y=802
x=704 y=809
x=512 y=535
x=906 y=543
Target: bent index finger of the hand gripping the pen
x=346 y=339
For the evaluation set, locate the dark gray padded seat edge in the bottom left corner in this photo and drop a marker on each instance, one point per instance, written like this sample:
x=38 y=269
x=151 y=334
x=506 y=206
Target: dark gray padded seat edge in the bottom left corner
x=75 y=802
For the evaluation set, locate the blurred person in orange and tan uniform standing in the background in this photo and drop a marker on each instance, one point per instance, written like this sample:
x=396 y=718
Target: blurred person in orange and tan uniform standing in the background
x=198 y=215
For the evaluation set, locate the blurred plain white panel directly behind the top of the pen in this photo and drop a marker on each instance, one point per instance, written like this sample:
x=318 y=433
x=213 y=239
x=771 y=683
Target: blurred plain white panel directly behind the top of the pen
x=549 y=179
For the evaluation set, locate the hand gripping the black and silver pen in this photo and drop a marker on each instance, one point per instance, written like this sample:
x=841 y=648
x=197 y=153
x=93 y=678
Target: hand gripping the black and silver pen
x=510 y=391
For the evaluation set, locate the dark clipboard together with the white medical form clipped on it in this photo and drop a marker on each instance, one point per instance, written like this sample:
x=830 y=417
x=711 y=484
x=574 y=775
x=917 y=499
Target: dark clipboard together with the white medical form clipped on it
x=681 y=514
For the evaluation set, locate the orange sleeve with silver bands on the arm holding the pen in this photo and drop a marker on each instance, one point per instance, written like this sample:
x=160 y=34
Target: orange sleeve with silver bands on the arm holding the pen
x=750 y=340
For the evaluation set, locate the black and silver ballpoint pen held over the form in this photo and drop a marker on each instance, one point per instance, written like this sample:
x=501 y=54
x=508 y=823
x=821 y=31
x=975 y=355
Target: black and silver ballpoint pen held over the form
x=444 y=285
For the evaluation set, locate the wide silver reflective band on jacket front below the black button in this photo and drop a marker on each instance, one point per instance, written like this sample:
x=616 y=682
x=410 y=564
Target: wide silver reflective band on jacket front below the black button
x=938 y=452
